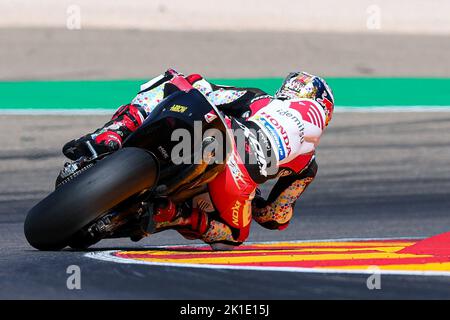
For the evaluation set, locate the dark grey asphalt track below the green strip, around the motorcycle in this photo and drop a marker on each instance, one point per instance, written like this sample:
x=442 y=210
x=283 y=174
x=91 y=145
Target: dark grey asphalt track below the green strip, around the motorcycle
x=380 y=175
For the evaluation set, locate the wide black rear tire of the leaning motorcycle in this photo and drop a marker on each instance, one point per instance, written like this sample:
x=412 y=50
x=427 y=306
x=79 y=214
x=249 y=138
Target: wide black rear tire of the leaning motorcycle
x=52 y=222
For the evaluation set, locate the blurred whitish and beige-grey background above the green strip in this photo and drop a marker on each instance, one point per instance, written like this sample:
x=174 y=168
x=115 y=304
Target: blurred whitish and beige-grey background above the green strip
x=117 y=39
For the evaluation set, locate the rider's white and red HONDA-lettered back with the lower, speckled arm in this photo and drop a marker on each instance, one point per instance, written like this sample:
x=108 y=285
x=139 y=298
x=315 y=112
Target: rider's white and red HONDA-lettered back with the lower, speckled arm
x=294 y=128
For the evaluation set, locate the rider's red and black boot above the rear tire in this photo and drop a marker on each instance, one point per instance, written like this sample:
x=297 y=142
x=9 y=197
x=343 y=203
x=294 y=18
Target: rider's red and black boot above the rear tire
x=110 y=137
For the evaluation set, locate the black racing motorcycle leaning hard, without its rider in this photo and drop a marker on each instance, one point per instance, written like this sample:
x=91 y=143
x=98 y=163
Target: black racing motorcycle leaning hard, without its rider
x=111 y=195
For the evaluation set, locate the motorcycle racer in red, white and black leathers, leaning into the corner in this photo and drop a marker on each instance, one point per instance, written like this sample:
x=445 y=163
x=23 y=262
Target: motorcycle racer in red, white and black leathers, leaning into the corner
x=287 y=127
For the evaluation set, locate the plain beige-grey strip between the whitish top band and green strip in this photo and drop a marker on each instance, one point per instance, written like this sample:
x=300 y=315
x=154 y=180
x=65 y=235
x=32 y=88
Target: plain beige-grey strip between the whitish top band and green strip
x=120 y=54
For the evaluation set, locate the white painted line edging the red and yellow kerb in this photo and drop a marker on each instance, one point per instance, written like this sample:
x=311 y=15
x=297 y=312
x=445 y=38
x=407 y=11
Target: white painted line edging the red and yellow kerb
x=110 y=257
